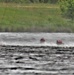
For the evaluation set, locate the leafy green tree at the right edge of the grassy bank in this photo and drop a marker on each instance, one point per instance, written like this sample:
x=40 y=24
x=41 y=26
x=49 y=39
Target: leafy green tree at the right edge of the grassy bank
x=67 y=8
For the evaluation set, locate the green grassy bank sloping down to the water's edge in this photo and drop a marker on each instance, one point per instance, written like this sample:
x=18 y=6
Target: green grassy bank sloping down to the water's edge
x=33 y=17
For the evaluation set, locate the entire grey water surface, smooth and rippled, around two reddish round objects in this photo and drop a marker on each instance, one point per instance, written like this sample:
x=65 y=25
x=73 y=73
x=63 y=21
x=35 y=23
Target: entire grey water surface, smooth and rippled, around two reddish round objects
x=22 y=60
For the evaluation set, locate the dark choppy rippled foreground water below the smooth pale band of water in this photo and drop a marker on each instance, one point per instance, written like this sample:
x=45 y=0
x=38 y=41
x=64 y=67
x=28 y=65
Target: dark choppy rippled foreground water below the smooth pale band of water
x=36 y=61
